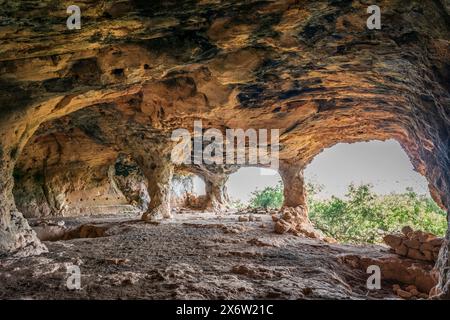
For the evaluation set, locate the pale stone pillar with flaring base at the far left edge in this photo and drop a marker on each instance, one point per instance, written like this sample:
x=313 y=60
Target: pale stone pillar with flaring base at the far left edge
x=16 y=236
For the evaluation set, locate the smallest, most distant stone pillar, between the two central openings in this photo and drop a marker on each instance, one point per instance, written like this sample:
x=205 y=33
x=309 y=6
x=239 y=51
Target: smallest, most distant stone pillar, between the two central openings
x=217 y=199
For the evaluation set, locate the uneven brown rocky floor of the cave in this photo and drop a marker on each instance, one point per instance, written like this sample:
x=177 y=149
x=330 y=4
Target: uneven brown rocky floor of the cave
x=192 y=256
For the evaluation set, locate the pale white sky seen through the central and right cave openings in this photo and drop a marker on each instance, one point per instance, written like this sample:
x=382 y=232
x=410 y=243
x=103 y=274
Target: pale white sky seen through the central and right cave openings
x=383 y=164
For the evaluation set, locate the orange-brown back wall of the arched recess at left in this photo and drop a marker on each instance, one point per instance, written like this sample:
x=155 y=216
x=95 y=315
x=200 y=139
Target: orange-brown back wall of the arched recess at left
x=69 y=175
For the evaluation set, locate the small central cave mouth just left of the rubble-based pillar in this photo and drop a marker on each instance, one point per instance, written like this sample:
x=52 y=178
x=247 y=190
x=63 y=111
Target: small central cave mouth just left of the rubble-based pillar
x=255 y=187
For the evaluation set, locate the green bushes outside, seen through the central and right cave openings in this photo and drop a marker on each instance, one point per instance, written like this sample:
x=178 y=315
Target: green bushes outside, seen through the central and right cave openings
x=363 y=216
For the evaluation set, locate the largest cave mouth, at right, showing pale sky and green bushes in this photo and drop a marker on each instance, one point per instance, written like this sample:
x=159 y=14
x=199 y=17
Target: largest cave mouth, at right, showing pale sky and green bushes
x=359 y=192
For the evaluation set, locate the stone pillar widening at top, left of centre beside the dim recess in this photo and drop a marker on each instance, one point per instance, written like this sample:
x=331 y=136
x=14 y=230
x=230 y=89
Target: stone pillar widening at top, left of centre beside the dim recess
x=159 y=173
